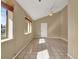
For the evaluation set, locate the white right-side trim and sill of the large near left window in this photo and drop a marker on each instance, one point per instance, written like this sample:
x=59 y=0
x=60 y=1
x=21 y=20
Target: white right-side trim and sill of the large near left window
x=10 y=28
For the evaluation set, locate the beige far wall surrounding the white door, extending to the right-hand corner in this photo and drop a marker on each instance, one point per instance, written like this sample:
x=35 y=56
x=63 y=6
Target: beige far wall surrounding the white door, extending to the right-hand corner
x=57 y=25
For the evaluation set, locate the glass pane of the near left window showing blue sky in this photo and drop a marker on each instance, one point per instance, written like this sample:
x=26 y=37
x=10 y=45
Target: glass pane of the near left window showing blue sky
x=3 y=22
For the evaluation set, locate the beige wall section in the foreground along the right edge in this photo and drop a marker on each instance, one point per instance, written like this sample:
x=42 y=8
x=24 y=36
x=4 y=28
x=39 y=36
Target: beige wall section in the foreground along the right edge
x=72 y=28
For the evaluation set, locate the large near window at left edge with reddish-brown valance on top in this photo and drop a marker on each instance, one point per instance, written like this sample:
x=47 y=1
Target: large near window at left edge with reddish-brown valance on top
x=6 y=22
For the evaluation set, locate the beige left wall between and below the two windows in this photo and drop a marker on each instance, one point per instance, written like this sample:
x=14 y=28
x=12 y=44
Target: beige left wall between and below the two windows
x=11 y=47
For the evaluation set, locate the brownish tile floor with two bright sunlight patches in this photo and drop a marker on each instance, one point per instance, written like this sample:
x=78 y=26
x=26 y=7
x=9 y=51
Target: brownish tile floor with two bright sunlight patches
x=45 y=49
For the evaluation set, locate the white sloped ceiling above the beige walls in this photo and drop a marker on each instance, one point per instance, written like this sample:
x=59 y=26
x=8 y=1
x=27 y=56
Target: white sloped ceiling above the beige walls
x=41 y=9
